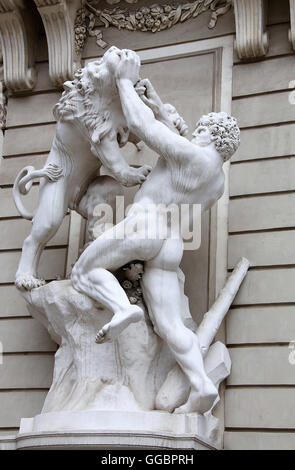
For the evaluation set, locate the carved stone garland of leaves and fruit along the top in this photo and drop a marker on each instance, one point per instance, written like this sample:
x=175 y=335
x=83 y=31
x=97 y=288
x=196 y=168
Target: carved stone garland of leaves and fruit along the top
x=155 y=18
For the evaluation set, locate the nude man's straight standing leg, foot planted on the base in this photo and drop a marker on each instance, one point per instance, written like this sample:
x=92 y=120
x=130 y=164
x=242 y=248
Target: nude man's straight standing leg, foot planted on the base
x=160 y=285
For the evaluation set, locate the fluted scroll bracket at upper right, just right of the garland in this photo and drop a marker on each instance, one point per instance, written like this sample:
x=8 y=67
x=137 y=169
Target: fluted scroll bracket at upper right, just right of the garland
x=251 y=38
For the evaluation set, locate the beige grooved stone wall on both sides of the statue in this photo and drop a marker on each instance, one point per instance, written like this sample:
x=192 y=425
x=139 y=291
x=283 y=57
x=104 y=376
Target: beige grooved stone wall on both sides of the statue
x=258 y=400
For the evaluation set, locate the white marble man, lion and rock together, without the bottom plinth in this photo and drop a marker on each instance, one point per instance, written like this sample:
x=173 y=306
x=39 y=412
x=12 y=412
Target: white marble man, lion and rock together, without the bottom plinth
x=105 y=106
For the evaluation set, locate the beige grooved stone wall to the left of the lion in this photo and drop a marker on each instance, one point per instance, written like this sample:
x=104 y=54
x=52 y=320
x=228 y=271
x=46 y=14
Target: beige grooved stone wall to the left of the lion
x=26 y=372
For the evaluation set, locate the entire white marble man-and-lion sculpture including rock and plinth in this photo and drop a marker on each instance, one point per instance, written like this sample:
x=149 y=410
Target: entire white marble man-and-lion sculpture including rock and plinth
x=150 y=369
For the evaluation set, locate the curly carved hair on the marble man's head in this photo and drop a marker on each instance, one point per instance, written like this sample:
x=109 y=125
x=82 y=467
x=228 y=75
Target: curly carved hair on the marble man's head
x=225 y=132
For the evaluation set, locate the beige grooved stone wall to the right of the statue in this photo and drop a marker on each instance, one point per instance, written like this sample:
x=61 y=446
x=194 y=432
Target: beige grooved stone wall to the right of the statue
x=260 y=390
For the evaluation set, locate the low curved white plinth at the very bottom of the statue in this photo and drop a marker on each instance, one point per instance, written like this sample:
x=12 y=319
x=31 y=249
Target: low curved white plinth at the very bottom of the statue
x=116 y=430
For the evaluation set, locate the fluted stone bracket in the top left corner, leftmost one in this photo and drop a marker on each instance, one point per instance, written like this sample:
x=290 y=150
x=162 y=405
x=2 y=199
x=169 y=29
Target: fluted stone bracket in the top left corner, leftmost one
x=16 y=38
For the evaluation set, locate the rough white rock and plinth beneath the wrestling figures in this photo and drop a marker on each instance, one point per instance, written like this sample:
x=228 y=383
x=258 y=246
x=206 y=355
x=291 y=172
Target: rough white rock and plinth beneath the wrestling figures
x=115 y=395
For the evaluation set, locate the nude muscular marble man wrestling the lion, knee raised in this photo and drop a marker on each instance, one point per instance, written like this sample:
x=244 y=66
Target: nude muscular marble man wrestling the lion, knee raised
x=186 y=172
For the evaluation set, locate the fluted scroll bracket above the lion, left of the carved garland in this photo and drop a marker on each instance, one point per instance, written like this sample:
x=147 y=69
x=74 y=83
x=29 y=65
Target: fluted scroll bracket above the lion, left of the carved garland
x=58 y=17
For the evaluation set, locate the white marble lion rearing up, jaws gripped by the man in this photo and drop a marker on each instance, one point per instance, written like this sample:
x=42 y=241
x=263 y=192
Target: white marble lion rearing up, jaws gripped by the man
x=90 y=130
